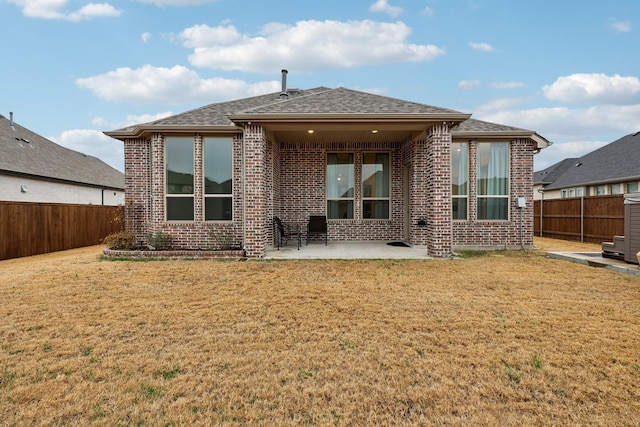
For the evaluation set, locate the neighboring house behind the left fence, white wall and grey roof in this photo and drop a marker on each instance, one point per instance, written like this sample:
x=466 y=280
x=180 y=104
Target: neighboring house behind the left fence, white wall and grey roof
x=34 y=169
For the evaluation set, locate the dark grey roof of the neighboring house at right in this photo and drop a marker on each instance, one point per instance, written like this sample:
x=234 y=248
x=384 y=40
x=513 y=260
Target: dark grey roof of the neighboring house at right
x=618 y=161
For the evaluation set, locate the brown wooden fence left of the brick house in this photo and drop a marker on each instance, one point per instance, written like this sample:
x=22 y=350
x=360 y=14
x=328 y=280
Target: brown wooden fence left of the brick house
x=37 y=228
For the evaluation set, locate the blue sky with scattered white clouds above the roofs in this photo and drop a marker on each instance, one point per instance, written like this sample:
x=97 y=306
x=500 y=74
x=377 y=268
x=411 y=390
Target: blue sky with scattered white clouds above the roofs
x=568 y=69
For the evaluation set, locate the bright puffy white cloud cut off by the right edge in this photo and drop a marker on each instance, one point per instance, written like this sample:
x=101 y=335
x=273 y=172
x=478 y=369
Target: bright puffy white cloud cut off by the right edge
x=581 y=88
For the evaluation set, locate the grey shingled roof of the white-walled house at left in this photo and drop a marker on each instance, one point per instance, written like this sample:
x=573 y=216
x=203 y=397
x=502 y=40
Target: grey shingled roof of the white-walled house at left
x=23 y=152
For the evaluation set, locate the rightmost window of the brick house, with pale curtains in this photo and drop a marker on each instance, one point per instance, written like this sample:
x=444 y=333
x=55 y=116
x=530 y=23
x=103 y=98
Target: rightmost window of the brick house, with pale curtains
x=493 y=181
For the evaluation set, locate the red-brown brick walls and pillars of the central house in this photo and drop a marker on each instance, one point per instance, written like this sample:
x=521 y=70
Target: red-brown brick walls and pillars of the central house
x=288 y=180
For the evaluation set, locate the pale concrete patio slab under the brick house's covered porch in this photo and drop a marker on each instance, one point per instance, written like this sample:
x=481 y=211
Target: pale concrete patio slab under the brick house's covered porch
x=346 y=250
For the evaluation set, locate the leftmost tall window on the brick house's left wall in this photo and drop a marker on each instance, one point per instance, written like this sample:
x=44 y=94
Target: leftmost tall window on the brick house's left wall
x=179 y=178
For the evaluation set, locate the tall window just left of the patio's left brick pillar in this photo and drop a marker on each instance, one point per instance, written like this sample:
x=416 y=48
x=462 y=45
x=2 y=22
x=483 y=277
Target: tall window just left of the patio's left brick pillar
x=218 y=179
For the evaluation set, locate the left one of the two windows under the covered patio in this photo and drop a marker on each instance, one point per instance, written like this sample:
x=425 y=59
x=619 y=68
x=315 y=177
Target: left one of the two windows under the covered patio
x=340 y=185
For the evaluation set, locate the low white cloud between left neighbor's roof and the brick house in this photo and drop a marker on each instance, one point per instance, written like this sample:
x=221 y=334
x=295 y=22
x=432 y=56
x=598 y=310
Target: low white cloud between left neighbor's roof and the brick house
x=93 y=143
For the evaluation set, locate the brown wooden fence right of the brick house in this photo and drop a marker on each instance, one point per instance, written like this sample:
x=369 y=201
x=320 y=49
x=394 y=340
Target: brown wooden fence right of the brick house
x=586 y=219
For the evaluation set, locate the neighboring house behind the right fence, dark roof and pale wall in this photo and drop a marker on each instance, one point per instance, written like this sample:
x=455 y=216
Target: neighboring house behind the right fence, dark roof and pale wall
x=612 y=169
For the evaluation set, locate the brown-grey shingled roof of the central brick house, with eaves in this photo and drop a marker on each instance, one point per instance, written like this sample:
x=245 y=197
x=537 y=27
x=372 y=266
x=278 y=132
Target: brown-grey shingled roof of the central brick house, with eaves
x=331 y=108
